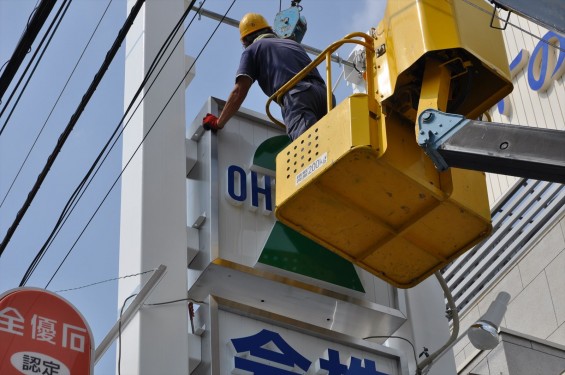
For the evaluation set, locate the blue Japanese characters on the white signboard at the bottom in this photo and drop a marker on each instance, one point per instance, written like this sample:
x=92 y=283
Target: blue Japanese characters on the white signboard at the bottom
x=267 y=353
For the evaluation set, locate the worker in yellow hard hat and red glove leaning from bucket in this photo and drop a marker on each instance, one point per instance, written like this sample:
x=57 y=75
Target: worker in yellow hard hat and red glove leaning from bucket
x=273 y=61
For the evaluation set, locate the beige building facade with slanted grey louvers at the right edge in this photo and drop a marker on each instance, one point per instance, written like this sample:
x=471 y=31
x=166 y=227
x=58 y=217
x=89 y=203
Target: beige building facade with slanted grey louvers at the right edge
x=525 y=257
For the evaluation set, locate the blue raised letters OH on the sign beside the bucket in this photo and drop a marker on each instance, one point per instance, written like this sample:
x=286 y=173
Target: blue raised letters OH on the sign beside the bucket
x=261 y=188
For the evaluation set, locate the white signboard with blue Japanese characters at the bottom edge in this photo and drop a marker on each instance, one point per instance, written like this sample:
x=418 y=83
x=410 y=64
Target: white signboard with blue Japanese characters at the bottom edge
x=250 y=346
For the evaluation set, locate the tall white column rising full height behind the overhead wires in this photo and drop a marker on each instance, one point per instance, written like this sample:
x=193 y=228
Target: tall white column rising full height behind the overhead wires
x=153 y=206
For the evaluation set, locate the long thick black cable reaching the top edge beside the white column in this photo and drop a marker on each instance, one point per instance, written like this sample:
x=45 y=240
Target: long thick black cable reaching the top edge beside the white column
x=74 y=119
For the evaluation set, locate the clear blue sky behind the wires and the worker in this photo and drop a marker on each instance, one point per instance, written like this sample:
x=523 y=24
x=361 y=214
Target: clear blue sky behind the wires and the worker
x=95 y=256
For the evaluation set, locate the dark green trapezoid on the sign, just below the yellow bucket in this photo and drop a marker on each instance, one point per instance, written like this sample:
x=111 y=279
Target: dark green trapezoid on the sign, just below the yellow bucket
x=291 y=251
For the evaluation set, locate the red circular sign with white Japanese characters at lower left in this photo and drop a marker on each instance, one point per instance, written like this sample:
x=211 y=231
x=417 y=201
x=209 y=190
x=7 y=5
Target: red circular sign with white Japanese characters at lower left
x=42 y=333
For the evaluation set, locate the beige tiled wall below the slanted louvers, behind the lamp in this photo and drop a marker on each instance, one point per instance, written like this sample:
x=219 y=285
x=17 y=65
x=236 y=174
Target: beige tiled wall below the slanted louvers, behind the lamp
x=536 y=283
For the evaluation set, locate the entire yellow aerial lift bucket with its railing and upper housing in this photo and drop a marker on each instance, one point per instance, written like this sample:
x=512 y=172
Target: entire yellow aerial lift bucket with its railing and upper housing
x=358 y=183
